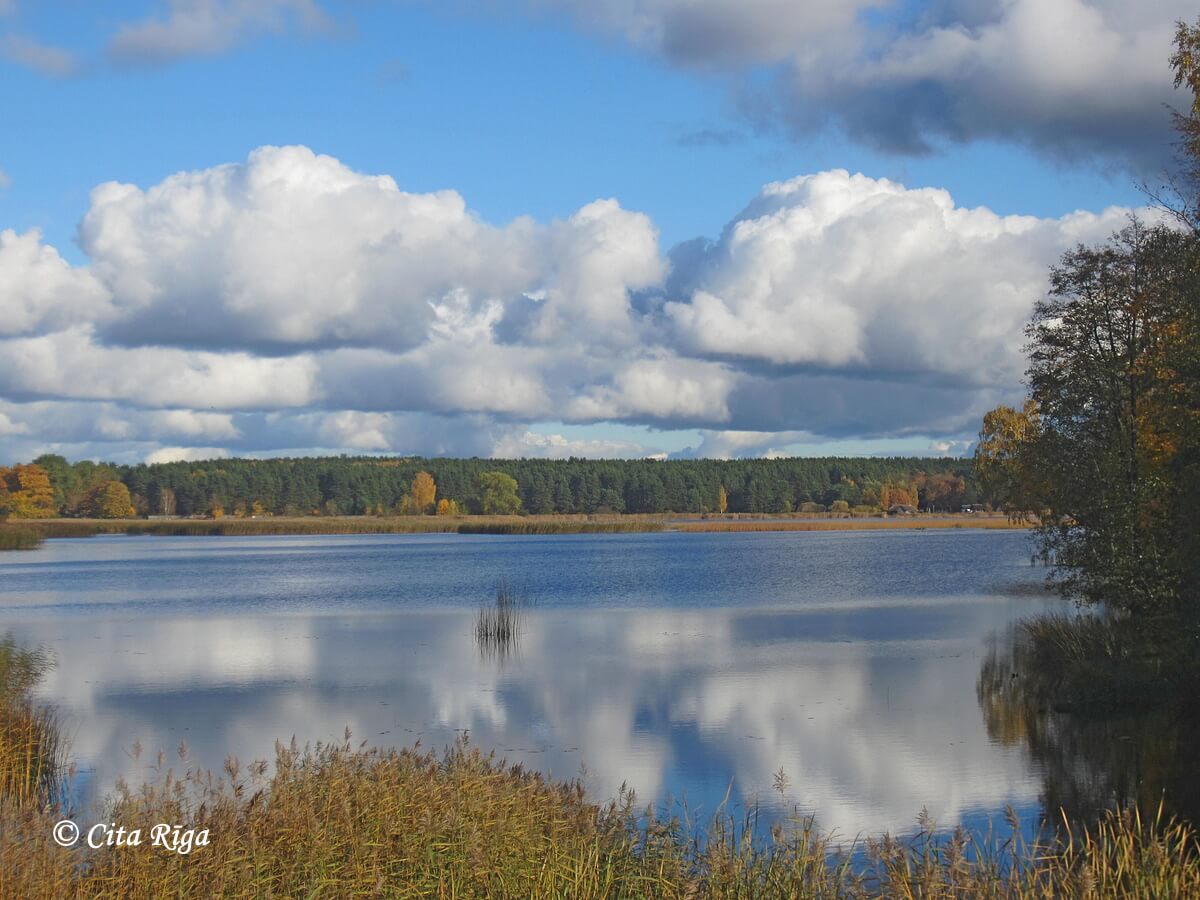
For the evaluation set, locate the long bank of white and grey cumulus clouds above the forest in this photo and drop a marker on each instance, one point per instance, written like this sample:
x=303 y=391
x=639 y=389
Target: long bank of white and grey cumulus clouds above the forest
x=289 y=304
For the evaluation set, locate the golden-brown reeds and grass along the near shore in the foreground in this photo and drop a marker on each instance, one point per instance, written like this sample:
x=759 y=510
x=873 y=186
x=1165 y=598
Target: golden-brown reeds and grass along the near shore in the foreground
x=346 y=820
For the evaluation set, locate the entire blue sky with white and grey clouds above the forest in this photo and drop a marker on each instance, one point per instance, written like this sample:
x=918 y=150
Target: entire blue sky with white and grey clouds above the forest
x=484 y=303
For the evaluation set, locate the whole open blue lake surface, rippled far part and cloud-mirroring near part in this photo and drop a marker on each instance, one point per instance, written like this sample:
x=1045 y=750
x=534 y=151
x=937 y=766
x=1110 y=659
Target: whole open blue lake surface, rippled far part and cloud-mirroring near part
x=686 y=665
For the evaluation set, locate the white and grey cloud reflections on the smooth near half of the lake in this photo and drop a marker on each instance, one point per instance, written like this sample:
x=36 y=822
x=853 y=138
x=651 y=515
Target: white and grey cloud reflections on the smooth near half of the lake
x=871 y=716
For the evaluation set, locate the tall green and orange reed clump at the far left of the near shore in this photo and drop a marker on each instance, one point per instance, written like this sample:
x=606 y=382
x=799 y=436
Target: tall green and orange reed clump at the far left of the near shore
x=33 y=752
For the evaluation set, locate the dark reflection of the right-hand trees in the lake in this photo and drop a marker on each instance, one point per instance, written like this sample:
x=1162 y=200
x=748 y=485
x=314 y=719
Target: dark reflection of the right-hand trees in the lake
x=1091 y=763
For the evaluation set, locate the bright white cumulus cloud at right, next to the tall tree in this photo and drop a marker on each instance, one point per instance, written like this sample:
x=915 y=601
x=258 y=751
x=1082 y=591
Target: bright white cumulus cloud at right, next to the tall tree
x=847 y=272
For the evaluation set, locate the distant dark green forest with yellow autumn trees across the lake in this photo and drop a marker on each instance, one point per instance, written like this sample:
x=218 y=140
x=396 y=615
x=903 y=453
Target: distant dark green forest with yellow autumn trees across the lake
x=53 y=487
